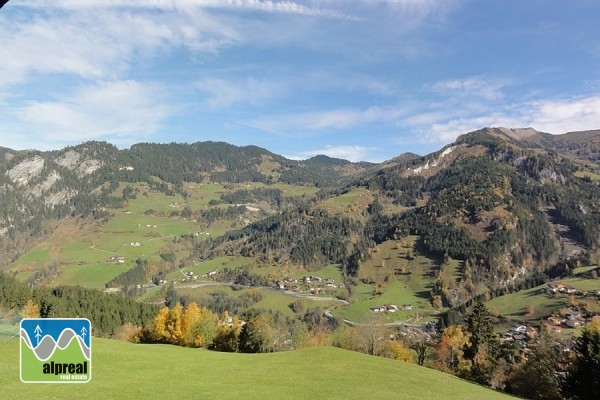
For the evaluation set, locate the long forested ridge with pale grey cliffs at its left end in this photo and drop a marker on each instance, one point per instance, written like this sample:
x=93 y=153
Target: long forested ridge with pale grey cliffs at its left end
x=80 y=180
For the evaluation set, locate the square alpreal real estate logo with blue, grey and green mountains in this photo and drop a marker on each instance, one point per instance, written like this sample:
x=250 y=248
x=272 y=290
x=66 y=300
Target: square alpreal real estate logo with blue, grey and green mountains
x=56 y=350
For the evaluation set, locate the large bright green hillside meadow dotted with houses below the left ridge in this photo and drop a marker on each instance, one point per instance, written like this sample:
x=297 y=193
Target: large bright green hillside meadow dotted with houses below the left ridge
x=141 y=229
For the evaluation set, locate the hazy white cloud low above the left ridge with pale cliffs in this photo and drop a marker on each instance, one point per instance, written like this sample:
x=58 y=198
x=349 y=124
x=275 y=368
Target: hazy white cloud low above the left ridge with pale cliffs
x=117 y=110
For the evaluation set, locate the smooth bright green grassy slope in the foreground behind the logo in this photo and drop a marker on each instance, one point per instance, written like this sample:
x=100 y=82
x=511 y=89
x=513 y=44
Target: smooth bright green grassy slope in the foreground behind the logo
x=125 y=371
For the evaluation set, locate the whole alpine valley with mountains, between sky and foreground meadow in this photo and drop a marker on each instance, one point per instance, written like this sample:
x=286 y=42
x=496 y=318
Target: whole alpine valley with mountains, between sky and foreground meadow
x=504 y=218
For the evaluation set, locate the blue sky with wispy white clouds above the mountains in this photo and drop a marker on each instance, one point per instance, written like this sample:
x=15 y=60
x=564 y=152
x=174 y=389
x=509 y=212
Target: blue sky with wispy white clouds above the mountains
x=355 y=79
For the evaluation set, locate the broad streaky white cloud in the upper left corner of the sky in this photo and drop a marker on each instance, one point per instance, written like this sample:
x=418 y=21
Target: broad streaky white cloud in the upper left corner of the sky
x=100 y=43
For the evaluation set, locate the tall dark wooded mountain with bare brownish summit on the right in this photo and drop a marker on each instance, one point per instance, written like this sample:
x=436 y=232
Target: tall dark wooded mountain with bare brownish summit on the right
x=515 y=204
